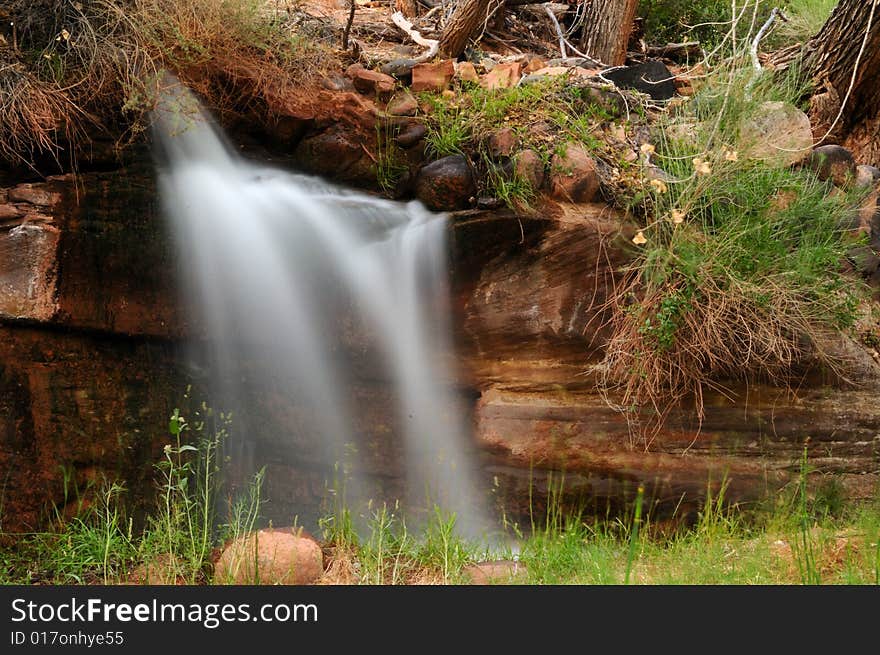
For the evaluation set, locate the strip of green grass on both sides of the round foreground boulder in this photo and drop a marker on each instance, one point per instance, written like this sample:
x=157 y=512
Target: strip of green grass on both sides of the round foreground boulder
x=794 y=538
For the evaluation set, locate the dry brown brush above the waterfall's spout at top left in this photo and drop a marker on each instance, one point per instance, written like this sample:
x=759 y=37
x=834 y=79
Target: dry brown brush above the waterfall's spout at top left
x=99 y=61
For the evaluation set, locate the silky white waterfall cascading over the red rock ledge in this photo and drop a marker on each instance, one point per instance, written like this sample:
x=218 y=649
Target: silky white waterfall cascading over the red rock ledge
x=277 y=263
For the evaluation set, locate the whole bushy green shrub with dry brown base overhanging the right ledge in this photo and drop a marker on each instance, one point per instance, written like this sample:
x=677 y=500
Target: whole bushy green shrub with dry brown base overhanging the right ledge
x=738 y=273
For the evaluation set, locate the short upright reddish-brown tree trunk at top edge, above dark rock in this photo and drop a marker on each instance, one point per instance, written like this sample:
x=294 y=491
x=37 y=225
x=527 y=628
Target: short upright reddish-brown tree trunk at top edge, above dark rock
x=607 y=26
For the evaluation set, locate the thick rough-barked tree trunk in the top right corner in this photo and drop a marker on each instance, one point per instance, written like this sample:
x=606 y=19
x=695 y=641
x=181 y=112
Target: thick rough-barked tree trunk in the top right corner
x=832 y=56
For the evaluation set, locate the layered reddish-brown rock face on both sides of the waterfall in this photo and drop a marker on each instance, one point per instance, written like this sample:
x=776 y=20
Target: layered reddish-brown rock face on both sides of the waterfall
x=91 y=366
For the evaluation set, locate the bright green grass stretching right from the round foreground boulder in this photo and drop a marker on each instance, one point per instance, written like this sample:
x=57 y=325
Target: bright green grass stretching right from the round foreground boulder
x=802 y=535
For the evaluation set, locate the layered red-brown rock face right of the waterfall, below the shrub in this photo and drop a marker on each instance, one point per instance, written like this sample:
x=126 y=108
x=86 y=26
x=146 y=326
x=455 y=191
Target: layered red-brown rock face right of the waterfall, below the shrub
x=532 y=340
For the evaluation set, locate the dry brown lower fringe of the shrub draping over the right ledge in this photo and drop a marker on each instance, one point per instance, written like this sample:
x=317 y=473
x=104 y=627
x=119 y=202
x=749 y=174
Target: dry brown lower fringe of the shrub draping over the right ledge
x=724 y=335
